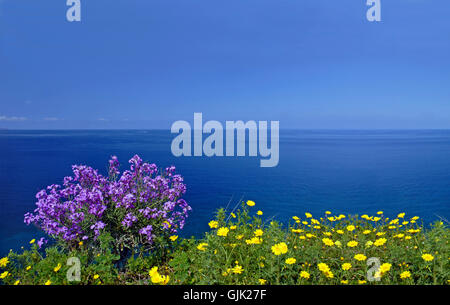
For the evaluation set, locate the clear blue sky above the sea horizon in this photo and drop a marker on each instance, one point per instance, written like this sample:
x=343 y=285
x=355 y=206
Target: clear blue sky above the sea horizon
x=147 y=63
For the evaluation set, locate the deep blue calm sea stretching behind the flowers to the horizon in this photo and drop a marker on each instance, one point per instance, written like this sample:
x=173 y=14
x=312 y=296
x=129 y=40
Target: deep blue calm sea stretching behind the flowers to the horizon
x=341 y=171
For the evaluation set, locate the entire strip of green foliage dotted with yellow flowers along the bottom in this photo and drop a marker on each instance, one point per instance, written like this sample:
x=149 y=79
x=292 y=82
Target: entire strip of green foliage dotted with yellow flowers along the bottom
x=243 y=247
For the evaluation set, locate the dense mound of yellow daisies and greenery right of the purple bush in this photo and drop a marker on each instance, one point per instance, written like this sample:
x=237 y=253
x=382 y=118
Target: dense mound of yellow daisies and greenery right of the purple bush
x=315 y=250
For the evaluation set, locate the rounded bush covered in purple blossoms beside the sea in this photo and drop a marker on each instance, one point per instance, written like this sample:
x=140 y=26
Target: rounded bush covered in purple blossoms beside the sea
x=139 y=208
